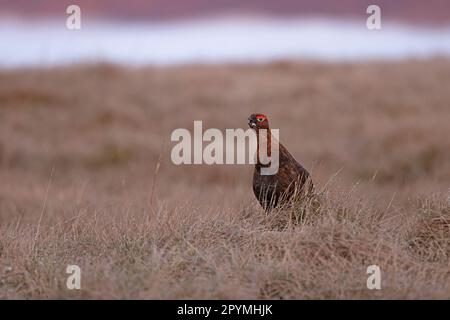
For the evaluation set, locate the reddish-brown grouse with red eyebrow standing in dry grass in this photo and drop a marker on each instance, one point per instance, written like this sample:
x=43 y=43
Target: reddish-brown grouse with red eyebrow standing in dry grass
x=291 y=180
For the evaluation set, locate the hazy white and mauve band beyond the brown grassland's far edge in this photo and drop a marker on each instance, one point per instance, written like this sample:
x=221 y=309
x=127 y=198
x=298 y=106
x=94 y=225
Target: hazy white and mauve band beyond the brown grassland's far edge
x=202 y=31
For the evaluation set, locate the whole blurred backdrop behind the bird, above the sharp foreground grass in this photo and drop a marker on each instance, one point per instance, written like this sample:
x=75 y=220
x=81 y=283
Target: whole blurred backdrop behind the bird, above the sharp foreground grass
x=106 y=98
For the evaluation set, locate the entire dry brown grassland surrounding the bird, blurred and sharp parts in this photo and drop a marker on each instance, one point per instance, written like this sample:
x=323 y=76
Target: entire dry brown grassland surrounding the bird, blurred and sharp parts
x=86 y=179
